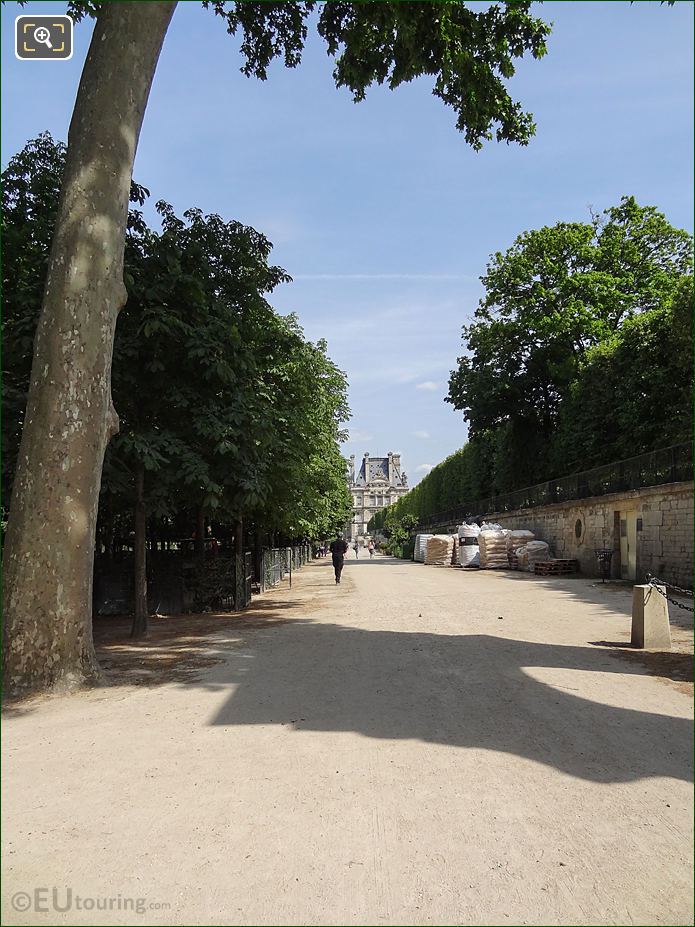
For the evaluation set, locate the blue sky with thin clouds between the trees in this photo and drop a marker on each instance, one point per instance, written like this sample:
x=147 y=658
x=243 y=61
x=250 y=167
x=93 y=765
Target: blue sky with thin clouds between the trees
x=380 y=212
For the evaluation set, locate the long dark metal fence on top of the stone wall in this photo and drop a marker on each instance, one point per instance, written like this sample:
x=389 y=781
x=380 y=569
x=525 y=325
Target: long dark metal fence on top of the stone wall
x=668 y=465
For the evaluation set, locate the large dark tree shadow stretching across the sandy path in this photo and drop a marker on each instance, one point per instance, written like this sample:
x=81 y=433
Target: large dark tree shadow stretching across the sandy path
x=469 y=691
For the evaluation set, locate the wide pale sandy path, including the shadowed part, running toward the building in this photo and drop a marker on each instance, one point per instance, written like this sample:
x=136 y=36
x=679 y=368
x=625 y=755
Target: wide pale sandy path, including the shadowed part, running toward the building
x=417 y=746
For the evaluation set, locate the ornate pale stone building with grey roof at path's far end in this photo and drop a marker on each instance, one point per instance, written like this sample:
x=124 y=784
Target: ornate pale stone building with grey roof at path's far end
x=378 y=482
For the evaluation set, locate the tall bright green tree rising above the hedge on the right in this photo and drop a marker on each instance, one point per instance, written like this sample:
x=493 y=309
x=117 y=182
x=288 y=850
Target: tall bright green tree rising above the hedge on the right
x=554 y=294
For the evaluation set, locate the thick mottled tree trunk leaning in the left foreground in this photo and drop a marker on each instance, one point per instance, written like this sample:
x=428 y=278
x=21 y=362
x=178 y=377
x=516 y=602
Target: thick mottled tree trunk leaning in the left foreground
x=70 y=418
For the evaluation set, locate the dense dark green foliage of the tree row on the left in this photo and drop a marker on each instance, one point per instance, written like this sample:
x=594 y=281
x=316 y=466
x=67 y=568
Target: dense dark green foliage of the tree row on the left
x=223 y=402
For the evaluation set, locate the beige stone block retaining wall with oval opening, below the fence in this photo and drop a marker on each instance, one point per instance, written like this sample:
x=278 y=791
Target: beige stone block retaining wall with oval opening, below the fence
x=574 y=529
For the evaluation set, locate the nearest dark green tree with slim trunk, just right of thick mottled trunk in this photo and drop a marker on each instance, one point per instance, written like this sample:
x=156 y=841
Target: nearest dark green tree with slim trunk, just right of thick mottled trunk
x=187 y=354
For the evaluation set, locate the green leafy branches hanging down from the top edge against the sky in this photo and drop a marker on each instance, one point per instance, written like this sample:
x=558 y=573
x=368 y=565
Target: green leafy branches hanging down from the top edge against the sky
x=470 y=53
